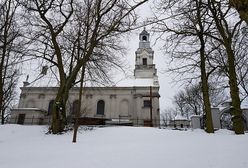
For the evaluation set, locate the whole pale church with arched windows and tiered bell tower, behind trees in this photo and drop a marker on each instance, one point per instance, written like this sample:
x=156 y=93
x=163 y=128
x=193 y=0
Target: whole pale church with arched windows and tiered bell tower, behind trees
x=136 y=103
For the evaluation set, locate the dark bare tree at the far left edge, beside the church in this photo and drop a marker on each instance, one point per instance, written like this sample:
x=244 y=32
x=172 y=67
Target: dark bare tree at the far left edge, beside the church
x=10 y=54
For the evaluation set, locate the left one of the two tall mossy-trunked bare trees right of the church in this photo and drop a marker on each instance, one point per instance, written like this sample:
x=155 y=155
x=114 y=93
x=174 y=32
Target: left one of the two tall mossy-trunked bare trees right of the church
x=187 y=29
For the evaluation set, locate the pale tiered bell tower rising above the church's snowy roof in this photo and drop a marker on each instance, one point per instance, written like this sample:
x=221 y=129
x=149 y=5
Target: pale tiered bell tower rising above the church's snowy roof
x=144 y=67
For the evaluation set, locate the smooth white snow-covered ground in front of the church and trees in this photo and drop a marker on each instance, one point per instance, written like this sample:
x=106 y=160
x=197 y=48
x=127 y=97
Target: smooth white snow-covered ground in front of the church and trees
x=121 y=147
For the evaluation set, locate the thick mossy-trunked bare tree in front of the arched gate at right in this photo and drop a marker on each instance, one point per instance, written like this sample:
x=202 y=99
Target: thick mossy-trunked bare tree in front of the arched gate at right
x=225 y=36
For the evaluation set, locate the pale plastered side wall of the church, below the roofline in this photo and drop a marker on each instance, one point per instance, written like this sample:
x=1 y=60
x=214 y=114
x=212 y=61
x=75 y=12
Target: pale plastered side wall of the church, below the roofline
x=124 y=101
